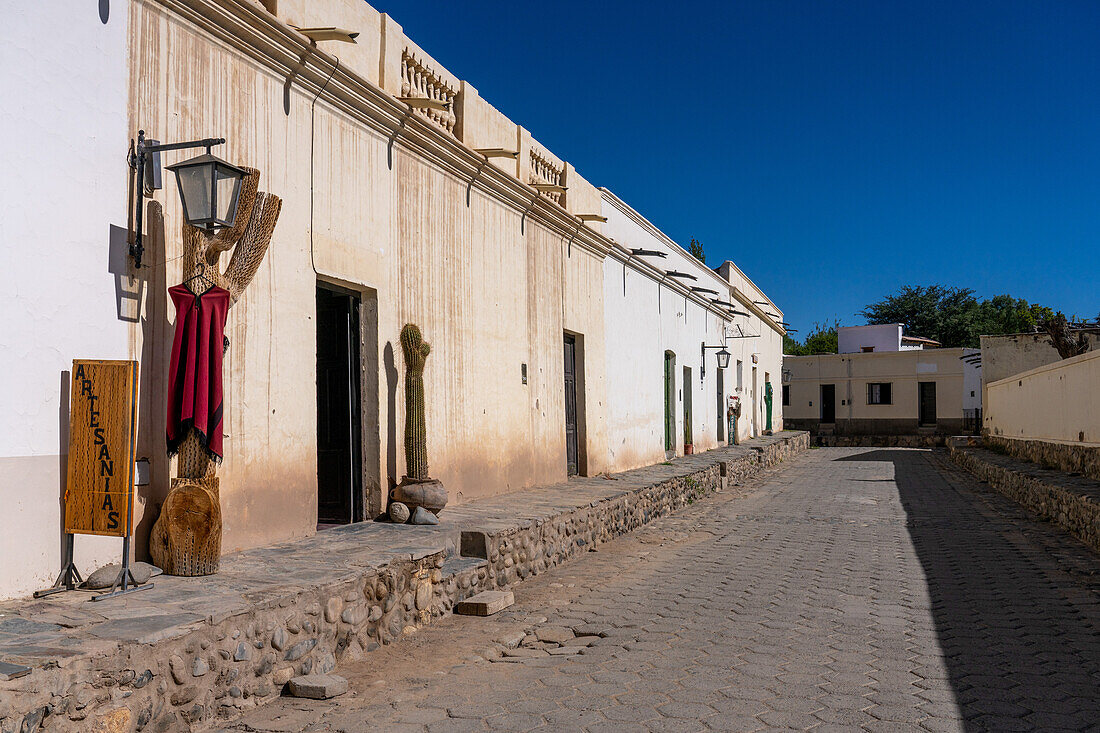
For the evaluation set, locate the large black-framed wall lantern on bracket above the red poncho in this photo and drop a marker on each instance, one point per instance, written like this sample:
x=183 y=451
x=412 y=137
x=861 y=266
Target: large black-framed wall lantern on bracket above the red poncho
x=210 y=188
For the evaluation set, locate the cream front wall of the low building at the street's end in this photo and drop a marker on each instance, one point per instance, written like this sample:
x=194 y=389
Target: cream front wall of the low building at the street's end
x=852 y=374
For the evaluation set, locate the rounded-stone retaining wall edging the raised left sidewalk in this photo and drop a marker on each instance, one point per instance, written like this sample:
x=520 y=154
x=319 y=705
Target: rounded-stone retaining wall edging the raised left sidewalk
x=210 y=672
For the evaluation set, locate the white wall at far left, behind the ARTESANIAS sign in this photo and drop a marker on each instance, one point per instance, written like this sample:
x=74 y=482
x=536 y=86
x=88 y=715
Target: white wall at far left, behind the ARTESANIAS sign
x=63 y=144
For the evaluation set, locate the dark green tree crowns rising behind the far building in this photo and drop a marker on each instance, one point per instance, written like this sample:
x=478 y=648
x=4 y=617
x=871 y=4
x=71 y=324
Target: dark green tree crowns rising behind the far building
x=954 y=316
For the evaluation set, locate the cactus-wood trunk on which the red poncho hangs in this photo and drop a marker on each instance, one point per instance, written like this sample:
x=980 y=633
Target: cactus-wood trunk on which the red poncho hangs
x=186 y=539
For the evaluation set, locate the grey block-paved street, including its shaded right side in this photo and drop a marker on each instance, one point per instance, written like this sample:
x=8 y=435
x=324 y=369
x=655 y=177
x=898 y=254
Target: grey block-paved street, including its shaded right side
x=849 y=588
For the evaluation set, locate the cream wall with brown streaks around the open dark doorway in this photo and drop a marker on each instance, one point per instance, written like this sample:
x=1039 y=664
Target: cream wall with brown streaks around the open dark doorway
x=489 y=293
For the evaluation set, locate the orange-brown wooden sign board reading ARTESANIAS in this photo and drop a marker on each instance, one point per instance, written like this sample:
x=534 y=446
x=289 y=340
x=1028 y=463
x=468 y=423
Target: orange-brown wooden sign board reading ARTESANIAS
x=103 y=421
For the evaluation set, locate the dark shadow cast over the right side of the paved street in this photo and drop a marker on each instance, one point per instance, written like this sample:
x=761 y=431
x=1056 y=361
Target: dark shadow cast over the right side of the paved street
x=1015 y=606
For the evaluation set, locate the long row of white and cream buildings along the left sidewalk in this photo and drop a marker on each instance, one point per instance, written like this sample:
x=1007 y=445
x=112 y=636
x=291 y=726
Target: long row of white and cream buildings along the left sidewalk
x=557 y=349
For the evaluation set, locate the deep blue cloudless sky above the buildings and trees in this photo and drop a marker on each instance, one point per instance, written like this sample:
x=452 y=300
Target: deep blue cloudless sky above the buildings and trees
x=837 y=151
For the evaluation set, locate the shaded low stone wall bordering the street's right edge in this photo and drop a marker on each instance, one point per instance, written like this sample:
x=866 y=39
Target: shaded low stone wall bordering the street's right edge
x=1071 y=502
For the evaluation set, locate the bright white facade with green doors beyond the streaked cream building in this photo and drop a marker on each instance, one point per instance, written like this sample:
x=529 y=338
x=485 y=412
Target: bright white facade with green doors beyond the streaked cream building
x=647 y=314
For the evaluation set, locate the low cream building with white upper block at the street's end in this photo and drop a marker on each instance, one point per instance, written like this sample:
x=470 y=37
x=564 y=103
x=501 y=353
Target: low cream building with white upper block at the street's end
x=884 y=384
